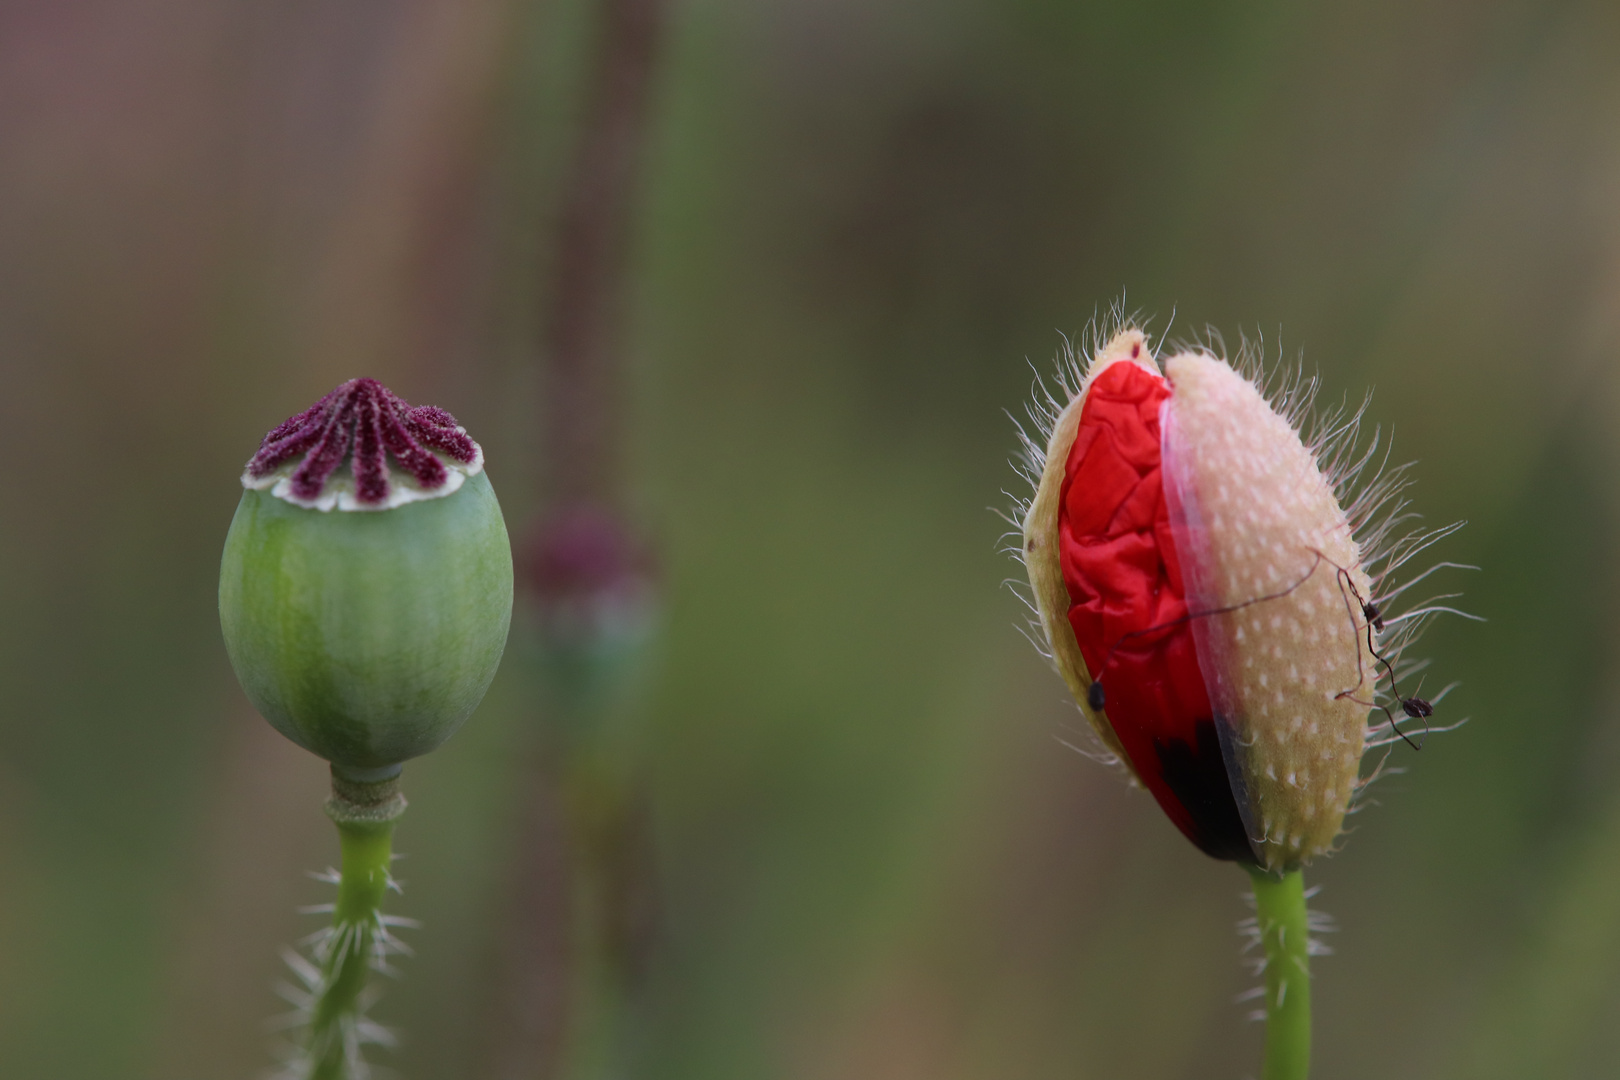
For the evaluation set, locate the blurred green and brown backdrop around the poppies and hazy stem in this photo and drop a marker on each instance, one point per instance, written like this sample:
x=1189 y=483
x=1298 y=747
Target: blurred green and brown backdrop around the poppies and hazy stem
x=861 y=229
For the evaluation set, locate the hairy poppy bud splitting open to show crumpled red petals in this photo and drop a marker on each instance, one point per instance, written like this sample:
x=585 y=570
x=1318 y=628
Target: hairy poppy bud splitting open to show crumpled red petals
x=1201 y=590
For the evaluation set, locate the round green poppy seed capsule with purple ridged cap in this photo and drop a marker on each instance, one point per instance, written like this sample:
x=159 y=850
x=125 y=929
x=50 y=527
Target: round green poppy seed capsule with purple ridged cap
x=365 y=610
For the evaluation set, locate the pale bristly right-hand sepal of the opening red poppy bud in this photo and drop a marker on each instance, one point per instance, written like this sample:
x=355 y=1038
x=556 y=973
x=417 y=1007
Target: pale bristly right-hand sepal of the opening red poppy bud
x=1253 y=517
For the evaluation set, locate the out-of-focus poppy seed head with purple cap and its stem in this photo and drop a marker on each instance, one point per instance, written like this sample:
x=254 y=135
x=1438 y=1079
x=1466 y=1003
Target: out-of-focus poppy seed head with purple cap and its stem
x=594 y=610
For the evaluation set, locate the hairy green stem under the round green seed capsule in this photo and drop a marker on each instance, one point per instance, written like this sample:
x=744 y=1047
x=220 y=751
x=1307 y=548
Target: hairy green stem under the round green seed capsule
x=365 y=827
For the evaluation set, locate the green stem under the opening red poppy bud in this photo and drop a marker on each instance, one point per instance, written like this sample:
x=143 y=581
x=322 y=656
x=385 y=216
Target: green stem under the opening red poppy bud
x=1281 y=909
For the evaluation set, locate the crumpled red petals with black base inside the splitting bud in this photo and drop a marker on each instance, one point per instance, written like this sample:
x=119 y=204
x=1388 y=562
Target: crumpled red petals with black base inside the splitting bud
x=1130 y=614
